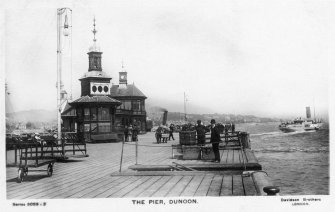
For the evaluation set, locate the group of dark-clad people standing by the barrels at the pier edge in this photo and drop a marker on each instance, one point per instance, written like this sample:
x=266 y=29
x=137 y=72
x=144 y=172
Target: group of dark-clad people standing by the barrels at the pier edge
x=215 y=139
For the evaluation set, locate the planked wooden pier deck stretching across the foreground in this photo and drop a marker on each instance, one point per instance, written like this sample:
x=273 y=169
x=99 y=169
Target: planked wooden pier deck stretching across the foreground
x=97 y=176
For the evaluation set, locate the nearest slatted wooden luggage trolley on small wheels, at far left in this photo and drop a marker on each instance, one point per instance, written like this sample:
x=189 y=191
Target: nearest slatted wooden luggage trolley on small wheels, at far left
x=35 y=155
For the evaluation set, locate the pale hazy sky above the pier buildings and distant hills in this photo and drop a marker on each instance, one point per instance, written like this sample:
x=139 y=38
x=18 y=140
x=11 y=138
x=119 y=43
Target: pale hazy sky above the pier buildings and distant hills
x=266 y=58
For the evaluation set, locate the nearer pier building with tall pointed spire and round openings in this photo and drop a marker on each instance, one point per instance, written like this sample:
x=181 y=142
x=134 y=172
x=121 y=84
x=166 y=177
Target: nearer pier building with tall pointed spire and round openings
x=93 y=114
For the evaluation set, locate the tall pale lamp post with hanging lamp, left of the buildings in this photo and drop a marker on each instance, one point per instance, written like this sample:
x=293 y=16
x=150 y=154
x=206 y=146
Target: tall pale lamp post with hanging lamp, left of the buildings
x=61 y=28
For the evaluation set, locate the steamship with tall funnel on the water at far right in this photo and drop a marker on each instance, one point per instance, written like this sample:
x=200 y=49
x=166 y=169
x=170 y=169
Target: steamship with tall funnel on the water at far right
x=300 y=125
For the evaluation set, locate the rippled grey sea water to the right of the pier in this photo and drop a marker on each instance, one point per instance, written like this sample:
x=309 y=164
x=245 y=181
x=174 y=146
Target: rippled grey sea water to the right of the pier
x=296 y=162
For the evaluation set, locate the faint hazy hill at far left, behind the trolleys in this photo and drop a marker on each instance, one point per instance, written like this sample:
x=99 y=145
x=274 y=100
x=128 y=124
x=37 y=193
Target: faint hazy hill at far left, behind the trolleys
x=33 y=116
